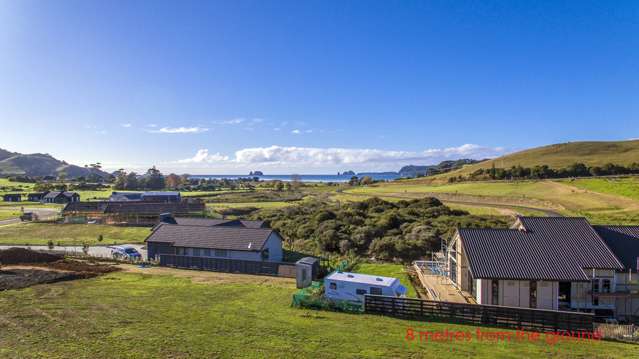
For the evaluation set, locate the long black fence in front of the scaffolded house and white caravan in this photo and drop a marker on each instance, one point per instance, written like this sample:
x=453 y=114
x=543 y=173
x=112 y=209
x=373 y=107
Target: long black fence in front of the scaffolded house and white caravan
x=539 y=320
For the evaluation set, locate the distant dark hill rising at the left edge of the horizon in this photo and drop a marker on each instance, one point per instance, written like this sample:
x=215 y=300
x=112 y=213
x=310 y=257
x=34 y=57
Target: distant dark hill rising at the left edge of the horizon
x=38 y=164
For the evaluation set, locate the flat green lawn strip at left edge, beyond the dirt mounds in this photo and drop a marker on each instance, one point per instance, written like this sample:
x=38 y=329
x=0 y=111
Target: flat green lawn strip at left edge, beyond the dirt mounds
x=70 y=234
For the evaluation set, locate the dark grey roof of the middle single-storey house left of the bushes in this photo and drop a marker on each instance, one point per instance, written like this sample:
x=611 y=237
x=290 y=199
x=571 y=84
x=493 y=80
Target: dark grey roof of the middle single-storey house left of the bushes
x=217 y=237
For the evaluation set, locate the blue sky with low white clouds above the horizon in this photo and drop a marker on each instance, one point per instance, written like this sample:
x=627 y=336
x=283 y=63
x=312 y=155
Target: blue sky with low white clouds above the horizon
x=312 y=86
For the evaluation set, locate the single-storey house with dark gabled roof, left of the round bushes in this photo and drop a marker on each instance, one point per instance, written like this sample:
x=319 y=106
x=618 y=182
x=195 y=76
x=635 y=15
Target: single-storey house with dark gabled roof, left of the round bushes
x=216 y=241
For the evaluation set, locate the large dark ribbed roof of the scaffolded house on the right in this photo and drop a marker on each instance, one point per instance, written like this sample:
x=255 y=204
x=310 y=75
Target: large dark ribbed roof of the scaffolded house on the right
x=543 y=248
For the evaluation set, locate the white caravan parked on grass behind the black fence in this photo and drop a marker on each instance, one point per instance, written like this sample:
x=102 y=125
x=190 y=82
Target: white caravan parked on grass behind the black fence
x=353 y=286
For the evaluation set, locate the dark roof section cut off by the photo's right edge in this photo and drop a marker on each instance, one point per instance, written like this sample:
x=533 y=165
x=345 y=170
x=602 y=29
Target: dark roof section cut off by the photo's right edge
x=623 y=241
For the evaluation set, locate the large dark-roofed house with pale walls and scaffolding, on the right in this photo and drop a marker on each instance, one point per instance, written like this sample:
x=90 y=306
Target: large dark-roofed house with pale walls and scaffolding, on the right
x=541 y=262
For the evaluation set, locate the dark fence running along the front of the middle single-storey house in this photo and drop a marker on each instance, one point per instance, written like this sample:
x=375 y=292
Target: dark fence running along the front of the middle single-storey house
x=225 y=265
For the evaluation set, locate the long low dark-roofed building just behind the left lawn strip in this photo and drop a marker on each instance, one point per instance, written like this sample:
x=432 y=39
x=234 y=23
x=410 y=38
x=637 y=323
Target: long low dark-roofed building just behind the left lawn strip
x=129 y=213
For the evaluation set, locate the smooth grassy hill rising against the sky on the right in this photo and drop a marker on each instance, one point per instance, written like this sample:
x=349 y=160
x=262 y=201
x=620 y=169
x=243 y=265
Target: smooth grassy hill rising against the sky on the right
x=562 y=155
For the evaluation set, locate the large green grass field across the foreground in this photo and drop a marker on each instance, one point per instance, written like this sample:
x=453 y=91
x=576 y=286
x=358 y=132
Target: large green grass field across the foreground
x=225 y=315
